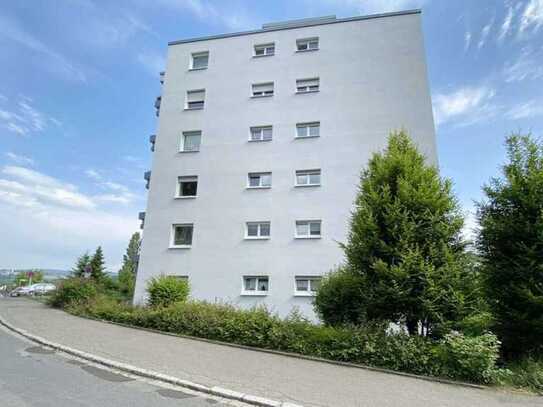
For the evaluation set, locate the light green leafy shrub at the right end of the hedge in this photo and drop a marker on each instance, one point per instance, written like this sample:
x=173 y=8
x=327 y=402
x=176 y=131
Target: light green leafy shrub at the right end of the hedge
x=469 y=358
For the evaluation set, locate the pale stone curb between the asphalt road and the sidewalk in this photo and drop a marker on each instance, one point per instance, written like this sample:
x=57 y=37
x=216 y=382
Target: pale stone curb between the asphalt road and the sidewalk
x=150 y=374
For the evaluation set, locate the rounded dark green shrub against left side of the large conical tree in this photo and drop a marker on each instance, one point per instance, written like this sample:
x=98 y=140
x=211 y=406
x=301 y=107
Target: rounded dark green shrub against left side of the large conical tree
x=340 y=298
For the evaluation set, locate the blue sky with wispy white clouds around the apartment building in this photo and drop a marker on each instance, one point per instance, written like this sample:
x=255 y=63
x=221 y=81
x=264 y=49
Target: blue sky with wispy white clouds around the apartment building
x=80 y=78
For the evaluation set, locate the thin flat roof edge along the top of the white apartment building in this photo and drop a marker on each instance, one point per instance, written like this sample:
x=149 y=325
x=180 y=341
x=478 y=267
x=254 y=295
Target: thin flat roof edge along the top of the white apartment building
x=293 y=24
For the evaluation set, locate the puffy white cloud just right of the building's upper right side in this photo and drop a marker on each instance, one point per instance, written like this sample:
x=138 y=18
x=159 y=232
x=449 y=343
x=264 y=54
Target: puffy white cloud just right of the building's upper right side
x=466 y=105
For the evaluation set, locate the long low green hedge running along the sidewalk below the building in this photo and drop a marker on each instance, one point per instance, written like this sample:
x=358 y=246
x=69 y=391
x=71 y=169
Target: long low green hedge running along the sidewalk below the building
x=456 y=357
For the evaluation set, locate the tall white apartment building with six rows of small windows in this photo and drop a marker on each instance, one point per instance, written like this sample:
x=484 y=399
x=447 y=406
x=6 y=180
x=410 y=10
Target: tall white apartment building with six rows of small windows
x=261 y=139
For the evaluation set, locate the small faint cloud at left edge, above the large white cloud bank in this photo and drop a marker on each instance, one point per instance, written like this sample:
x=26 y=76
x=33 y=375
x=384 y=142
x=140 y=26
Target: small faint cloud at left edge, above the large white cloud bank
x=26 y=119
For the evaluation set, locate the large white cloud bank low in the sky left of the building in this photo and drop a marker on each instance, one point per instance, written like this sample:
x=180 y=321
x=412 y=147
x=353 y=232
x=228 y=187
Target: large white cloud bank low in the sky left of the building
x=50 y=222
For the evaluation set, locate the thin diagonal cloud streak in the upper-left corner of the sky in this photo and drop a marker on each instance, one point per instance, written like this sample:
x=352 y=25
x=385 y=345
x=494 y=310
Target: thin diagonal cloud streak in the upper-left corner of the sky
x=53 y=60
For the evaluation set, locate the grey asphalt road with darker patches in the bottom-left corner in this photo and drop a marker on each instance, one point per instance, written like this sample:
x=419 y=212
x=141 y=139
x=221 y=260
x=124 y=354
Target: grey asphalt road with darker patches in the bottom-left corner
x=31 y=376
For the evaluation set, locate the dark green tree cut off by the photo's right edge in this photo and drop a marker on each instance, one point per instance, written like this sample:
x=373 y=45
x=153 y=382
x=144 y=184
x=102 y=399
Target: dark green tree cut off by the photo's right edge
x=511 y=246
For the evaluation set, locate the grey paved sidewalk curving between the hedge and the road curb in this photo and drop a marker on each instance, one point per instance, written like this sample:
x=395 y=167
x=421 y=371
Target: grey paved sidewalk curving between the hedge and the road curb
x=282 y=378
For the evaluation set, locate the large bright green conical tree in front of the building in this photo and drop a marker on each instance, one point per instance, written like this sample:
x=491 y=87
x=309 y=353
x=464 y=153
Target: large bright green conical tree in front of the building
x=405 y=243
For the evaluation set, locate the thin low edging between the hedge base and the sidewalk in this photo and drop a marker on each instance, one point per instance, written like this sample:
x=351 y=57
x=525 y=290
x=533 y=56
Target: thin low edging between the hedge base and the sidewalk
x=292 y=355
